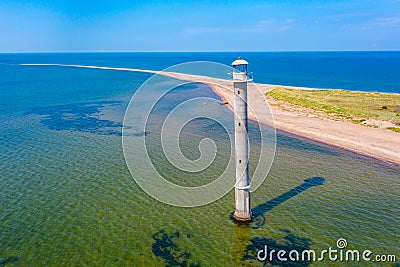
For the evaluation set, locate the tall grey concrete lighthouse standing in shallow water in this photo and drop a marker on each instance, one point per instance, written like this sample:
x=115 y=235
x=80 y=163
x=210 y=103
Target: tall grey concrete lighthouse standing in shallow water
x=240 y=78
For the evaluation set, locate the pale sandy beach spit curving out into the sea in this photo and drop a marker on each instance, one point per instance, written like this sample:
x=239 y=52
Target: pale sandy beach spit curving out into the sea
x=377 y=143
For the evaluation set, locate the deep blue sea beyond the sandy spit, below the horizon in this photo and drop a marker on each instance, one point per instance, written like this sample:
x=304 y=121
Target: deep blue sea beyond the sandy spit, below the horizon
x=364 y=71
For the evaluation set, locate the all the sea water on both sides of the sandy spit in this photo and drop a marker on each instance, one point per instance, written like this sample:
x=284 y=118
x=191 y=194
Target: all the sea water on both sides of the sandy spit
x=68 y=197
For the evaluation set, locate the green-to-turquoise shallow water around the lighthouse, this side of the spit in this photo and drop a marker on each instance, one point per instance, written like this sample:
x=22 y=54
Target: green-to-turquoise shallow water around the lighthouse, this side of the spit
x=67 y=197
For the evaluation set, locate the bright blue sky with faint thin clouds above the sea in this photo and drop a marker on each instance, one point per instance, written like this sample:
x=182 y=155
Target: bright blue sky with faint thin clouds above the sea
x=68 y=25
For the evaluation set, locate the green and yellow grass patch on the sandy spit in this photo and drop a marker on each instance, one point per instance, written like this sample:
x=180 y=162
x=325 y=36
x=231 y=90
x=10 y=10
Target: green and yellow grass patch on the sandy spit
x=354 y=106
